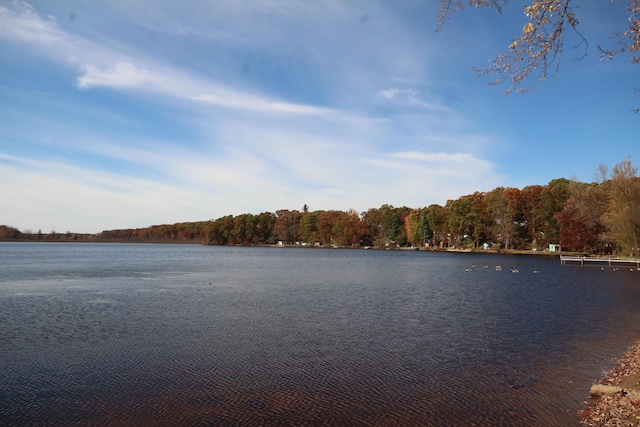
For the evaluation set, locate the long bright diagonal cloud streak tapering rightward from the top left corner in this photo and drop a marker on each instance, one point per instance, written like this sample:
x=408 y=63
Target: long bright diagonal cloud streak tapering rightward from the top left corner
x=101 y=66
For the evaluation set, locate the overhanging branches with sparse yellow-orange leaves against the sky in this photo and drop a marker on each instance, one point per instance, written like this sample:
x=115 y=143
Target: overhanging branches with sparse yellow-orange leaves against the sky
x=535 y=55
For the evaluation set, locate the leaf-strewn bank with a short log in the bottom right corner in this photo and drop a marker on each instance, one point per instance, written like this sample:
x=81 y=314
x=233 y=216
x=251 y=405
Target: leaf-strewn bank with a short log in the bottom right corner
x=615 y=402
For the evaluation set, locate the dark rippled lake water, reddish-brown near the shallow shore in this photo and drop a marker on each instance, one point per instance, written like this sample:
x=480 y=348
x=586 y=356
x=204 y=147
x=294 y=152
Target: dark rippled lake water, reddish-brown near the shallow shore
x=109 y=334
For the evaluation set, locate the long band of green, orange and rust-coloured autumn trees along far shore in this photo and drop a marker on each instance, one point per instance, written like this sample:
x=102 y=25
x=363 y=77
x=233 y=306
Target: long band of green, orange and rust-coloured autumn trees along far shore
x=602 y=217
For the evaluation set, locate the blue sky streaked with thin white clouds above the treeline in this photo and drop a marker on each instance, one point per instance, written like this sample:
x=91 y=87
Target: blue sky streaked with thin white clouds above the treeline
x=124 y=114
